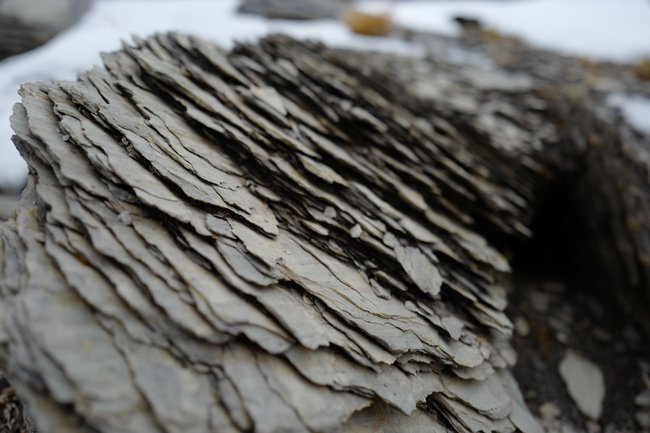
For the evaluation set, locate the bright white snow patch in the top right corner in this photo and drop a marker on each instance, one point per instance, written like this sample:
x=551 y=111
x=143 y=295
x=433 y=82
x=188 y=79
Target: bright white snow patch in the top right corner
x=616 y=30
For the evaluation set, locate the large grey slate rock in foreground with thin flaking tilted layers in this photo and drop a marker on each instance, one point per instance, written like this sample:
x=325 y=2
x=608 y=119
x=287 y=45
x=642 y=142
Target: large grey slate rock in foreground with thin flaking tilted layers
x=267 y=239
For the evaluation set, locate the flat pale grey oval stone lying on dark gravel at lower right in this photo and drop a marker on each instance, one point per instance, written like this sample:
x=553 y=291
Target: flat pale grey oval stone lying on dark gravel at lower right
x=585 y=383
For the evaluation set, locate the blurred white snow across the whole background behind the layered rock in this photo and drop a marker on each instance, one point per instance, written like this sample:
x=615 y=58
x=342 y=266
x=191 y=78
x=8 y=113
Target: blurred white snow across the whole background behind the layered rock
x=606 y=29
